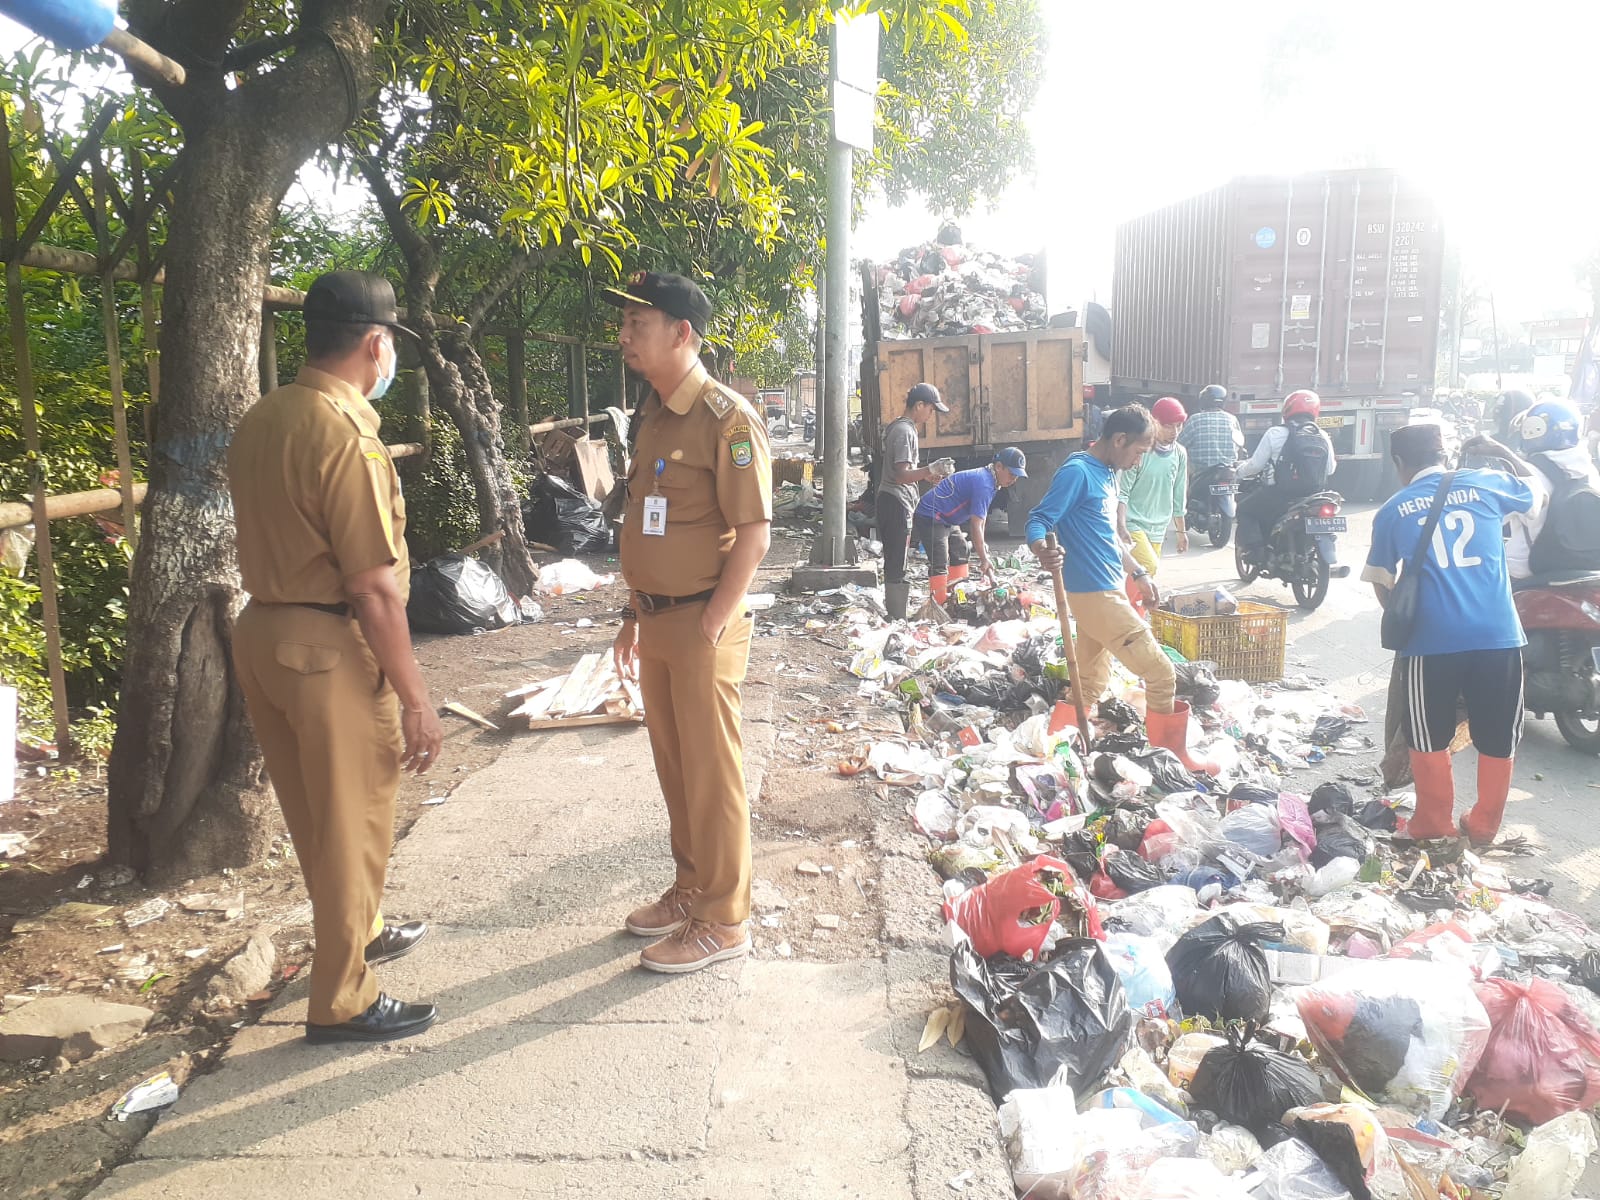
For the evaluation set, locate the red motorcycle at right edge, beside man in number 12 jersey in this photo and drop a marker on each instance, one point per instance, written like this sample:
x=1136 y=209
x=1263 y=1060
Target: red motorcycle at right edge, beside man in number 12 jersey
x=1561 y=615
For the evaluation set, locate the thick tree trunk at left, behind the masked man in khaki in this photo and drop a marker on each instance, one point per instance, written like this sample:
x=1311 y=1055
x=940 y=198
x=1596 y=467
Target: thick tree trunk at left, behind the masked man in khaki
x=188 y=790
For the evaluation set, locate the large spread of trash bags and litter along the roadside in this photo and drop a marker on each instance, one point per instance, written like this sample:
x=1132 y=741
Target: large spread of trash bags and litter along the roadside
x=1220 y=986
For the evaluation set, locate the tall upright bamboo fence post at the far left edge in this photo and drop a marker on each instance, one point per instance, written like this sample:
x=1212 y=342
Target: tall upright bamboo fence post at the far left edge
x=36 y=466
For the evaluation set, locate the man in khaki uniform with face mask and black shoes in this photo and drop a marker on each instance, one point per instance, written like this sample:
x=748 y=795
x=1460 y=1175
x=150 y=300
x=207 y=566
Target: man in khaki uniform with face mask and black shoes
x=324 y=652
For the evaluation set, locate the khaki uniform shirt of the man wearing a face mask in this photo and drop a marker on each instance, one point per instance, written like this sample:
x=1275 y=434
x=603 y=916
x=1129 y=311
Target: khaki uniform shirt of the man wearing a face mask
x=316 y=495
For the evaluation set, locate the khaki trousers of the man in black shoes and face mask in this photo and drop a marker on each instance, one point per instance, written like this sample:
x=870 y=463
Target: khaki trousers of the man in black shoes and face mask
x=330 y=732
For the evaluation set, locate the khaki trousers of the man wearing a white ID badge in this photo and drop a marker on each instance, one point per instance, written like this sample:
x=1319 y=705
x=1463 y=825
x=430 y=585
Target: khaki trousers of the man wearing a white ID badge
x=694 y=697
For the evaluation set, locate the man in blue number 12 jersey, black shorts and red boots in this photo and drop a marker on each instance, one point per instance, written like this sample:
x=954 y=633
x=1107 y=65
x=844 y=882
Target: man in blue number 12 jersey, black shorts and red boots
x=1468 y=641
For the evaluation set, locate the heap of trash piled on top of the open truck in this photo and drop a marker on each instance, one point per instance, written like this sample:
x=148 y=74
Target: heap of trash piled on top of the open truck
x=946 y=289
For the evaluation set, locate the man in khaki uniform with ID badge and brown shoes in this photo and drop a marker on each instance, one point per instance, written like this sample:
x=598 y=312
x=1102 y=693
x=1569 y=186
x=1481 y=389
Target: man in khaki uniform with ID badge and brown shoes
x=698 y=524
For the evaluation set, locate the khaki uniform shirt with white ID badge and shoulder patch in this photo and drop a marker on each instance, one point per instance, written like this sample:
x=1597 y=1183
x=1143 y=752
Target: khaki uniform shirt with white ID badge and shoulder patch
x=716 y=474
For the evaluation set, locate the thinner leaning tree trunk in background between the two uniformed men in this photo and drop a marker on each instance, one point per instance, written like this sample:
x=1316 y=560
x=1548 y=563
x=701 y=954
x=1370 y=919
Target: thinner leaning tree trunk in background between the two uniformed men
x=460 y=385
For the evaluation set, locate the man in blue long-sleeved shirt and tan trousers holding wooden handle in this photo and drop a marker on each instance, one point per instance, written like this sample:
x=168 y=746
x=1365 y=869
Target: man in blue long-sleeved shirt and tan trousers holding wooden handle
x=1081 y=510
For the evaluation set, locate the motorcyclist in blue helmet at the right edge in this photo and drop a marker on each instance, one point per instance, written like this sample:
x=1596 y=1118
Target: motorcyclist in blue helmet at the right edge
x=1550 y=439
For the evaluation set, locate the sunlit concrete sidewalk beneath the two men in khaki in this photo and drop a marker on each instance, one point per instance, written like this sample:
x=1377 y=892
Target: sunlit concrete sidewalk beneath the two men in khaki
x=559 y=1068
